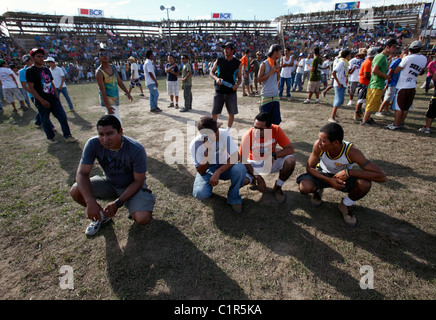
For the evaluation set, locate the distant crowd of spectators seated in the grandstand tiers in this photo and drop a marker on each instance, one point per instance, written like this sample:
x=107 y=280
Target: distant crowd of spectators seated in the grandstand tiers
x=77 y=56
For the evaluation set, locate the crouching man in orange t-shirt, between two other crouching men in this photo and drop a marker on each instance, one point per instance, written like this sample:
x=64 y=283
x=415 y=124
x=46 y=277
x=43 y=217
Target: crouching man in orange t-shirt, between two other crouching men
x=259 y=155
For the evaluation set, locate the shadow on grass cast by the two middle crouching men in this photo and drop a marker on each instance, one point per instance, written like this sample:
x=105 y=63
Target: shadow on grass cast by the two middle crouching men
x=275 y=228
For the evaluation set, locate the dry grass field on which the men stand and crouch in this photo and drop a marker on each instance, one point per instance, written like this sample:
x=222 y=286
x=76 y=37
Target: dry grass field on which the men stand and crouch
x=200 y=249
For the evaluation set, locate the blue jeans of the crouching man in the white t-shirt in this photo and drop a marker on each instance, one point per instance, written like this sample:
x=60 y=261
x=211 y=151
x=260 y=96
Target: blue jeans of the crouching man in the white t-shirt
x=236 y=174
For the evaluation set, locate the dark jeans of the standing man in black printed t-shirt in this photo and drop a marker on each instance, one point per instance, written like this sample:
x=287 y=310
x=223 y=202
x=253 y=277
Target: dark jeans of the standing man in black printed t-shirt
x=58 y=111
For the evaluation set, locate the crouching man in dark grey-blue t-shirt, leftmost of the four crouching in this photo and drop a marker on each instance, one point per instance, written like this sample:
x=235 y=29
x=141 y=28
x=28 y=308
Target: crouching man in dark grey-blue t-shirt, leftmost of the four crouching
x=124 y=162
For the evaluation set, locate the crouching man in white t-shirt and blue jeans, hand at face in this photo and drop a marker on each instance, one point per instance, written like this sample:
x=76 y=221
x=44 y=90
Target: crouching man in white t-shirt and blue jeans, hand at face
x=215 y=157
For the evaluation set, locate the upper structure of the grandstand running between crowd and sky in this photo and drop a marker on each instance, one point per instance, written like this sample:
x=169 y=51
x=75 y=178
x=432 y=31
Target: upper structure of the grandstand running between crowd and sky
x=25 y=26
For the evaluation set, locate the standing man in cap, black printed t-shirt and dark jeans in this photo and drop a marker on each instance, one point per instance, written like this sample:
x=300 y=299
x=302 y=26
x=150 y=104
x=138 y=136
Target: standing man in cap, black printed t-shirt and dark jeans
x=40 y=85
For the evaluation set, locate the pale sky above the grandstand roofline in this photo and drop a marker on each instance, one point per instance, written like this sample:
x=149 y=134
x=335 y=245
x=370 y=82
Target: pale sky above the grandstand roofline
x=149 y=10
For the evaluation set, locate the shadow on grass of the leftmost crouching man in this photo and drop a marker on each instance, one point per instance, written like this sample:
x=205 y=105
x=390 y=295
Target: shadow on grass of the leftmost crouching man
x=160 y=262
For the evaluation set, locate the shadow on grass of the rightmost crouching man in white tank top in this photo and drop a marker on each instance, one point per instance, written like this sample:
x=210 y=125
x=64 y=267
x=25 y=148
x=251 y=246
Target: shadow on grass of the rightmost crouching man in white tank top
x=392 y=240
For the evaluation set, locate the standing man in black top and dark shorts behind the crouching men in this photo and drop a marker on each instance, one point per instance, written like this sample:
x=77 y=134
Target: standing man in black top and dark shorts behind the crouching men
x=226 y=72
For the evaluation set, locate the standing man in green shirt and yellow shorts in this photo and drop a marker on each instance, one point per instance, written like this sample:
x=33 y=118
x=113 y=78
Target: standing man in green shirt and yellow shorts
x=376 y=84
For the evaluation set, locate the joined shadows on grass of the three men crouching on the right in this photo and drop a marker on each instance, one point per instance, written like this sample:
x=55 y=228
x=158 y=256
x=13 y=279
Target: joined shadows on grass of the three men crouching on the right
x=277 y=227
